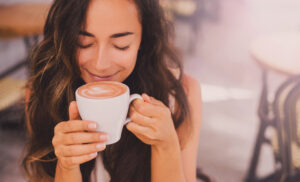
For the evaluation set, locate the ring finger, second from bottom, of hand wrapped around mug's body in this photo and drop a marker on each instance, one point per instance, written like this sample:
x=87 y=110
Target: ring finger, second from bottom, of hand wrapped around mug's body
x=78 y=150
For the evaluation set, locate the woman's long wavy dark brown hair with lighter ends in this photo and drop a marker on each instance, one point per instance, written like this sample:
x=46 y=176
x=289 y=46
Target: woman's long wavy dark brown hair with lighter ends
x=55 y=75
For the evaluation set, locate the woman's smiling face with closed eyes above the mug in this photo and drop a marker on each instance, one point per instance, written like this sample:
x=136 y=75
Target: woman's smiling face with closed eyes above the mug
x=109 y=44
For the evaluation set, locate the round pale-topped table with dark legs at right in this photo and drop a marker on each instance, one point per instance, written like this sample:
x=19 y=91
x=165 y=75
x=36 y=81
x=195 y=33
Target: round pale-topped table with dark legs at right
x=278 y=53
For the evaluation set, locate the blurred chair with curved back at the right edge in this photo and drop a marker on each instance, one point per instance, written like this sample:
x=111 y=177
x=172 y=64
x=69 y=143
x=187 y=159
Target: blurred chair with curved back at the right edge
x=285 y=141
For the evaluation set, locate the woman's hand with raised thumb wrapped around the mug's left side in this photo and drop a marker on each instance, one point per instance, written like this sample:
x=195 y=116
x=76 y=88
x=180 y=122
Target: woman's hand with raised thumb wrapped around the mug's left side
x=75 y=141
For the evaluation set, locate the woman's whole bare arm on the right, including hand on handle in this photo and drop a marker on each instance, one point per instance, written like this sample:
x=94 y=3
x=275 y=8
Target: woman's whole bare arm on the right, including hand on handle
x=152 y=123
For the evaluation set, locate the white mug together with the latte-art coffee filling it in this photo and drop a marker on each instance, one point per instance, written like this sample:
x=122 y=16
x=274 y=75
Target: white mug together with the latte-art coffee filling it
x=106 y=103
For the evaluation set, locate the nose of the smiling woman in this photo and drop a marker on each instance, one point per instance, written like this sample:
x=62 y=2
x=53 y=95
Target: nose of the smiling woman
x=102 y=62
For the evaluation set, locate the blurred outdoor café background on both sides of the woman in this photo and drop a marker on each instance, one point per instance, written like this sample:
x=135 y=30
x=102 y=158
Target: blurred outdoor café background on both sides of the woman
x=227 y=45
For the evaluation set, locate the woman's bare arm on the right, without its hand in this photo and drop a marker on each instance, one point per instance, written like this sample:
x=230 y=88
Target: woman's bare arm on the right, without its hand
x=173 y=164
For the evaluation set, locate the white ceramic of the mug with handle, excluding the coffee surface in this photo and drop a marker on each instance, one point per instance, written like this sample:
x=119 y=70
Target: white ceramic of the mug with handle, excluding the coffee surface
x=109 y=113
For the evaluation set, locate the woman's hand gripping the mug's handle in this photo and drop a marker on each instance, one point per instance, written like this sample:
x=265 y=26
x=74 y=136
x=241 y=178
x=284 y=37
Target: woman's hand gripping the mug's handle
x=152 y=123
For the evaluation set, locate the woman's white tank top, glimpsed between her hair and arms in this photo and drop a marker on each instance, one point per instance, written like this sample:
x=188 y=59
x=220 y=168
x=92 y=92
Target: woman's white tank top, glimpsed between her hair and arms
x=99 y=174
